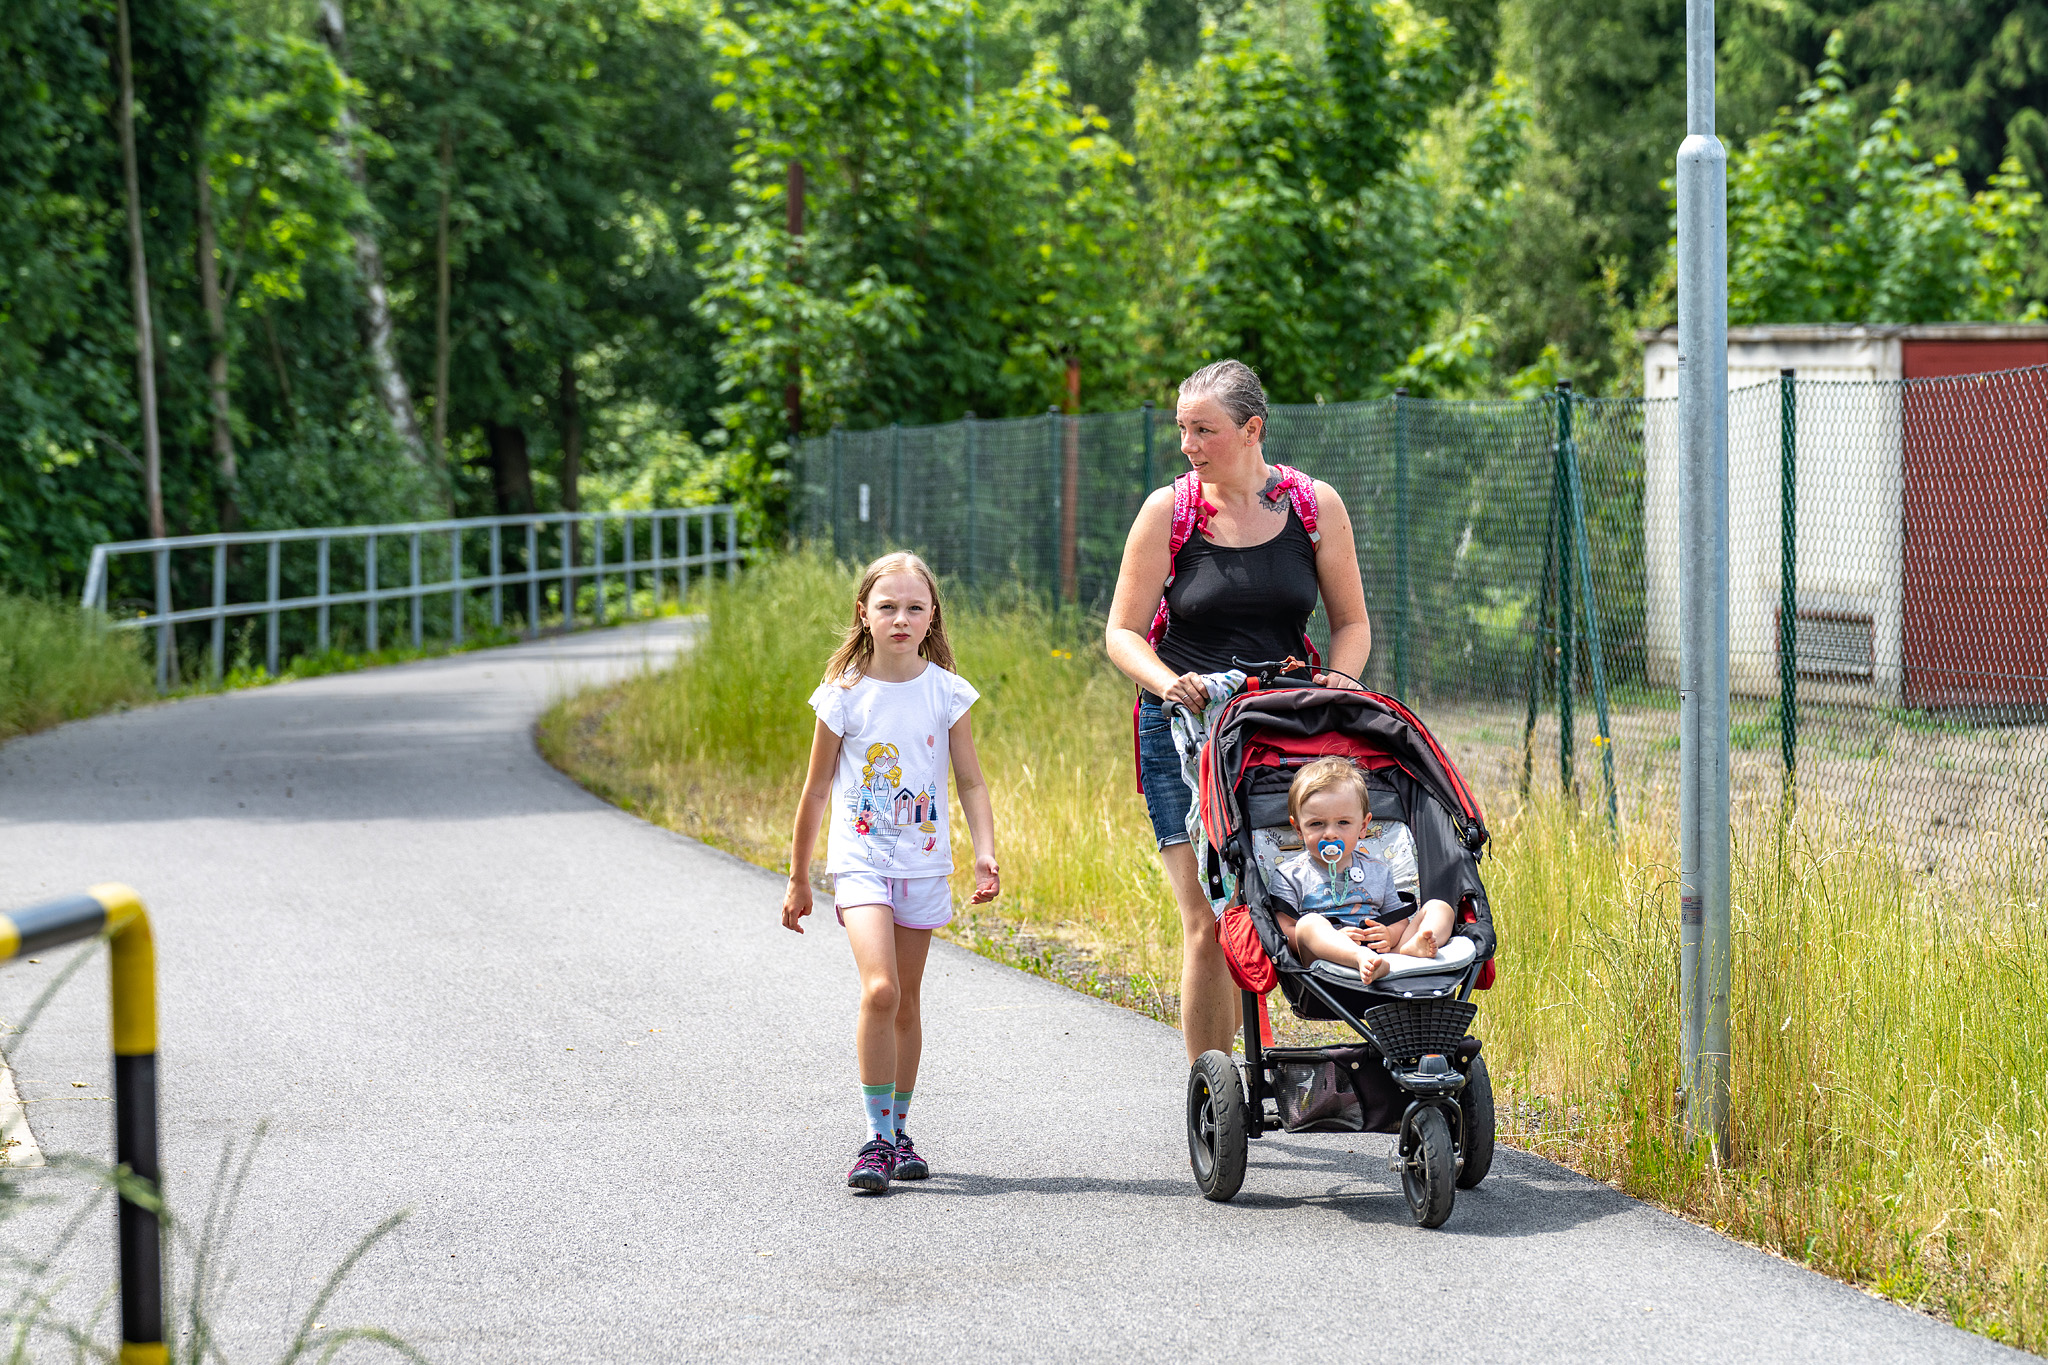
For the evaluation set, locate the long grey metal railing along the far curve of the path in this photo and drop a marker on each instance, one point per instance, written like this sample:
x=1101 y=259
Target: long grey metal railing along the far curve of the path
x=554 y=556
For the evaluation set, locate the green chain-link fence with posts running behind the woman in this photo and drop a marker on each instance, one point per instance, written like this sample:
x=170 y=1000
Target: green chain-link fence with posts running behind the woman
x=1887 y=566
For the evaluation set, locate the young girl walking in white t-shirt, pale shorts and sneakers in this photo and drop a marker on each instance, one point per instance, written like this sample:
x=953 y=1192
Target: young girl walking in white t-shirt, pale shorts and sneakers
x=892 y=715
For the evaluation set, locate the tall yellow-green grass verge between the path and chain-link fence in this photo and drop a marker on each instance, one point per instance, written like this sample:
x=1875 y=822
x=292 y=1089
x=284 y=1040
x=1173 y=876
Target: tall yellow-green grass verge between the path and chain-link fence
x=1891 y=1032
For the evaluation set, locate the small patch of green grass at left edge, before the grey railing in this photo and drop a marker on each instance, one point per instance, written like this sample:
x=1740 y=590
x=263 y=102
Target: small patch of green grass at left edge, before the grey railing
x=60 y=664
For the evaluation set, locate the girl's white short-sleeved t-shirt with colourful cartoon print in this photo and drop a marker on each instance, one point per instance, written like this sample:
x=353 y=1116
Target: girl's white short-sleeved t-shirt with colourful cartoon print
x=890 y=795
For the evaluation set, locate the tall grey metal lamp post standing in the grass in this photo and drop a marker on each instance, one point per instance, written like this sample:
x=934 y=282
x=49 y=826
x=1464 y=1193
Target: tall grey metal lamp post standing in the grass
x=1703 y=416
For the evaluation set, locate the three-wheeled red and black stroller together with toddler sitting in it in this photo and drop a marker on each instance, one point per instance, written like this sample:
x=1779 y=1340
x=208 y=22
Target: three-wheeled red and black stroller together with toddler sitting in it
x=1418 y=1069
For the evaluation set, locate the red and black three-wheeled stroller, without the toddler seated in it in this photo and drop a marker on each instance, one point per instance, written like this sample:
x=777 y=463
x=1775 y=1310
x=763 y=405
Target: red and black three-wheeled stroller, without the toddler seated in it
x=1418 y=1071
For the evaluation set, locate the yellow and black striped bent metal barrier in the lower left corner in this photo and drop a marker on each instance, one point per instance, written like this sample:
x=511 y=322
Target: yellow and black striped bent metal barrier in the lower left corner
x=118 y=914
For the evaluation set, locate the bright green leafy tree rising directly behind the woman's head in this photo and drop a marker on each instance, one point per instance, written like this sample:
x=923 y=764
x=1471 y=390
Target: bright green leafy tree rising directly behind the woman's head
x=1295 y=216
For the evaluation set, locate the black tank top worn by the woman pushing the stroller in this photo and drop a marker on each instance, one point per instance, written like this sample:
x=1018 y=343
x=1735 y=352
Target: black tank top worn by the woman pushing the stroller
x=1240 y=603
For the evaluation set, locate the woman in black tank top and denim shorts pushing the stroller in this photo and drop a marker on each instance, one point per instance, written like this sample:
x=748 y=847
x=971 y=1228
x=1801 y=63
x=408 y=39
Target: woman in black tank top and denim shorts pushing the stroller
x=1261 y=549
